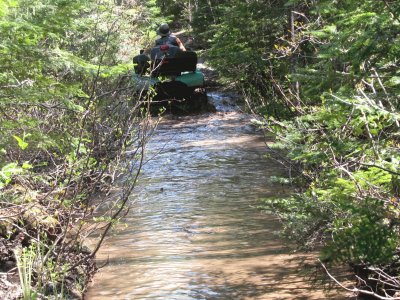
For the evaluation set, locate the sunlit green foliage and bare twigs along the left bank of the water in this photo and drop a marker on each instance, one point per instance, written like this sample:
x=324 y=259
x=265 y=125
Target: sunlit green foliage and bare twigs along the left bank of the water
x=66 y=113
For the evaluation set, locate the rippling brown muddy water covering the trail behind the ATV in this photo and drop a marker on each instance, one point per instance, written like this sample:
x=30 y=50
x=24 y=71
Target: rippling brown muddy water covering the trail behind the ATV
x=194 y=231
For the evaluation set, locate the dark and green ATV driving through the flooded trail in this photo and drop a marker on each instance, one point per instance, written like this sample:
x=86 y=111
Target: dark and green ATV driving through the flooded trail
x=171 y=73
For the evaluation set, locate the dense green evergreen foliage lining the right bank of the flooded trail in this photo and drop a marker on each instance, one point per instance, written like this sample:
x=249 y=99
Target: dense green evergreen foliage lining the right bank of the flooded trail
x=324 y=75
